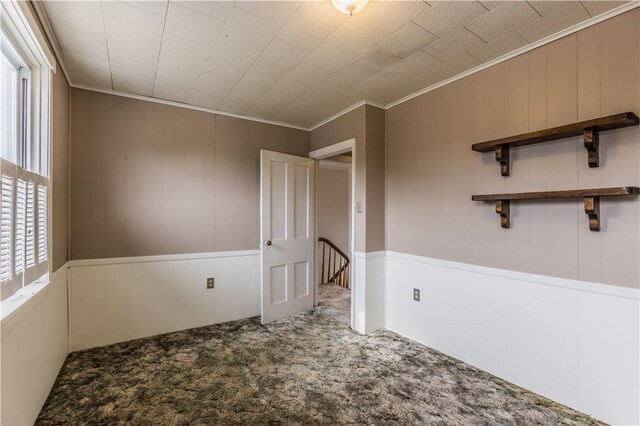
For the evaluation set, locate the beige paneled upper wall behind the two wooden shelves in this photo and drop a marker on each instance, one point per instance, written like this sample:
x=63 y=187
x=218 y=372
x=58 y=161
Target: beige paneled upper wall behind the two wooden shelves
x=432 y=172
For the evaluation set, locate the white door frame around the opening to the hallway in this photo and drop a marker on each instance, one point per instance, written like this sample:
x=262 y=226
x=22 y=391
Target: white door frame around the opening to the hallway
x=320 y=154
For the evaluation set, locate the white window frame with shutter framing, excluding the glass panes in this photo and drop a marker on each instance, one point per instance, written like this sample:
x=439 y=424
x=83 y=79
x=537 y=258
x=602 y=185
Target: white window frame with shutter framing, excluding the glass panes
x=24 y=49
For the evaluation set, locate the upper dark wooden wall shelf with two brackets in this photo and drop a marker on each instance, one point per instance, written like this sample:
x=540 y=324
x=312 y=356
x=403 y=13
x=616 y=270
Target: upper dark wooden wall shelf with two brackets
x=589 y=129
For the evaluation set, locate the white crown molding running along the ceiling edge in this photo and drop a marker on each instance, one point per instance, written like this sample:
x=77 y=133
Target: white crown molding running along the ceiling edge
x=568 y=31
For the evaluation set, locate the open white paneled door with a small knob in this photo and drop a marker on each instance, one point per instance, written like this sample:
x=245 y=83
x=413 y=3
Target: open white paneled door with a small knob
x=287 y=232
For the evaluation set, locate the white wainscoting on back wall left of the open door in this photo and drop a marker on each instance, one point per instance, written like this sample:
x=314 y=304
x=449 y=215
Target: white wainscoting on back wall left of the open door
x=115 y=300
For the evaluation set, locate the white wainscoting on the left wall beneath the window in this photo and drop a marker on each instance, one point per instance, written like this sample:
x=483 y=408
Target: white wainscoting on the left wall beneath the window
x=34 y=347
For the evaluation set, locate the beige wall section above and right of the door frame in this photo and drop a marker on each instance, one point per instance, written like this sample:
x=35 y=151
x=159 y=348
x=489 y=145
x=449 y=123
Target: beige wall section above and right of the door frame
x=365 y=124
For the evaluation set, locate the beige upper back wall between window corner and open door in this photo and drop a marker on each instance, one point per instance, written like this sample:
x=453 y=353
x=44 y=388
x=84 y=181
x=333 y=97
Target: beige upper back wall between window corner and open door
x=148 y=178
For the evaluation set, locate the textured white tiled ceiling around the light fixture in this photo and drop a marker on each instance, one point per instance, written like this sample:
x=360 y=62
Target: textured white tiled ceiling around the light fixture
x=297 y=62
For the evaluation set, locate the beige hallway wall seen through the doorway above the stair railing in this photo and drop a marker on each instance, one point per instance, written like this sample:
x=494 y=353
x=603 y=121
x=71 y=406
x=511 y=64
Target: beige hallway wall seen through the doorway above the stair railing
x=333 y=188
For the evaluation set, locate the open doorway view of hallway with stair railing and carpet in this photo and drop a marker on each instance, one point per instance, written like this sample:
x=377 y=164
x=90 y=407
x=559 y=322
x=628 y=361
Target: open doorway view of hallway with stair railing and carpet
x=334 y=204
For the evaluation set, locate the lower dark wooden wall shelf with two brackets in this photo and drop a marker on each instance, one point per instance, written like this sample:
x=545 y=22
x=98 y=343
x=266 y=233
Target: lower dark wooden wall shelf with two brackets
x=591 y=201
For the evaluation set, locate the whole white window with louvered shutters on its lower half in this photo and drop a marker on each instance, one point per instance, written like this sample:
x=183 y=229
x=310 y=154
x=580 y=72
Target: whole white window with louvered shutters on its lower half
x=24 y=100
